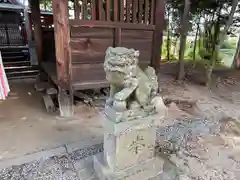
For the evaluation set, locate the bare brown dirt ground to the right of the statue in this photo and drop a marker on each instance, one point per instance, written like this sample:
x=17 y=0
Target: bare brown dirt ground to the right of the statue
x=214 y=155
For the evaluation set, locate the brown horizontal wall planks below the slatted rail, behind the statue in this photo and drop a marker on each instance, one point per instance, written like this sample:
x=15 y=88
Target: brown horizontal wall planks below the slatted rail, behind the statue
x=88 y=47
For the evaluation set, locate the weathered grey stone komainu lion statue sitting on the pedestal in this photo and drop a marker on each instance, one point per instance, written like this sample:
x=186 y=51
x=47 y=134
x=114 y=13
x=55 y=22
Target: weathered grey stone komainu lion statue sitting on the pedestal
x=131 y=88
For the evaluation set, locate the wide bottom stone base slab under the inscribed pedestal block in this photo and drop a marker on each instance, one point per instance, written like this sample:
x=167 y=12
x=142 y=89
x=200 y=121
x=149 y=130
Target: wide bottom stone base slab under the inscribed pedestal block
x=143 y=171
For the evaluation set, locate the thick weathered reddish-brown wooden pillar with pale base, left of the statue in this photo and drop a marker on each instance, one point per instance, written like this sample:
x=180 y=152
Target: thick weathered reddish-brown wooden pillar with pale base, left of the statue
x=63 y=57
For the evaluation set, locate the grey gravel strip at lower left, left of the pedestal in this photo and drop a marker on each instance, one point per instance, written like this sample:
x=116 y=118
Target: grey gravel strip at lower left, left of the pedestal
x=54 y=168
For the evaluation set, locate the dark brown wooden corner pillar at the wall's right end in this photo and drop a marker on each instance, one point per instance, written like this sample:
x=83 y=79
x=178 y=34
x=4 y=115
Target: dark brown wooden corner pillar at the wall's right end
x=158 y=34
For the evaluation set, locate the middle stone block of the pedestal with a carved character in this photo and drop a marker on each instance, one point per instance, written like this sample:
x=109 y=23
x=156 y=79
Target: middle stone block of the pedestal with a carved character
x=129 y=148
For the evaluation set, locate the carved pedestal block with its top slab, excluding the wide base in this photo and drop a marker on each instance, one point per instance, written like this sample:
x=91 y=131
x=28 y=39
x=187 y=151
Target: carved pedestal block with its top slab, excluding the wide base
x=133 y=140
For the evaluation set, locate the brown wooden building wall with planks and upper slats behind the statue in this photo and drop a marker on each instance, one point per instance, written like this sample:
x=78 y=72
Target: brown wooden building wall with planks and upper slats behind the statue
x=100 y=24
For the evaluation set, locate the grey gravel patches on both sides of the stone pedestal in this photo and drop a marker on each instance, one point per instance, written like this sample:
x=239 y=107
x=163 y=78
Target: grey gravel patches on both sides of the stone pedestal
x=78 y=164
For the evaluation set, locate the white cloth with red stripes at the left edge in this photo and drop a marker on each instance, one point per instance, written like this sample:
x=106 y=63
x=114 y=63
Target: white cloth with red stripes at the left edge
x=4 y=86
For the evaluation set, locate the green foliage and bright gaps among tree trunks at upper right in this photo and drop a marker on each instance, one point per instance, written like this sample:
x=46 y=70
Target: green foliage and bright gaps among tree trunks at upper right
x=209 y=23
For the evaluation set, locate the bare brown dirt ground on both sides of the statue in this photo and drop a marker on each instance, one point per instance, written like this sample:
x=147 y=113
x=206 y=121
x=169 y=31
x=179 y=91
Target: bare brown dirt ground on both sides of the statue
x=26 y=127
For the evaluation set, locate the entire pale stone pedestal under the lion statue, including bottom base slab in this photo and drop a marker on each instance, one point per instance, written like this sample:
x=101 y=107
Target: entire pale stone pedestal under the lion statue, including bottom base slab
x=129 y=150
